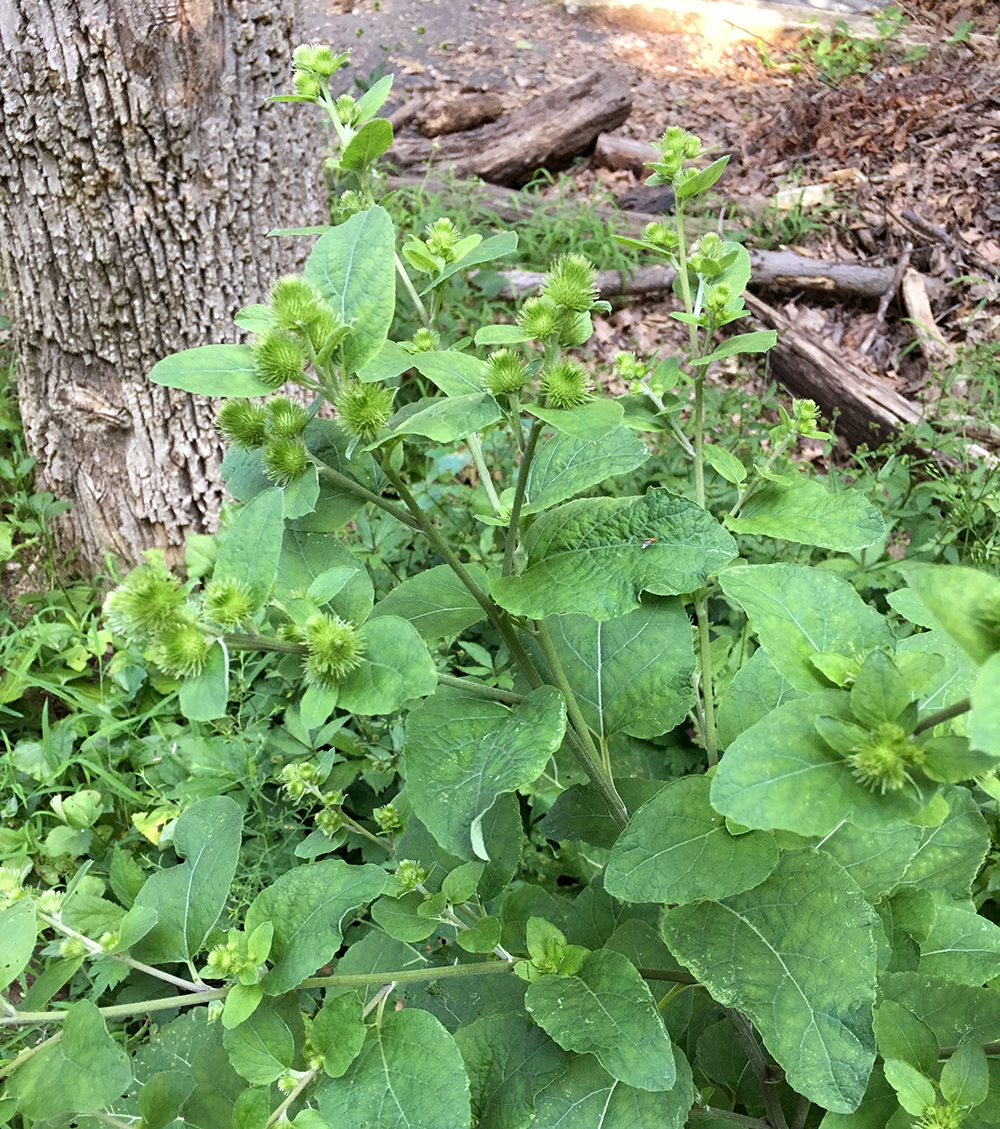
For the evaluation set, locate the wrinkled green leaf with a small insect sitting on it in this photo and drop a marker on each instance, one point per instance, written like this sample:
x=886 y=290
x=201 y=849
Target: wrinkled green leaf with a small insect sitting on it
x=589 y=556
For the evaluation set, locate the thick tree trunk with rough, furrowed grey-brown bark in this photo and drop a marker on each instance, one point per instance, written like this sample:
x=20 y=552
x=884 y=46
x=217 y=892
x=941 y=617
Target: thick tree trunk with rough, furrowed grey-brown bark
x=141 y=169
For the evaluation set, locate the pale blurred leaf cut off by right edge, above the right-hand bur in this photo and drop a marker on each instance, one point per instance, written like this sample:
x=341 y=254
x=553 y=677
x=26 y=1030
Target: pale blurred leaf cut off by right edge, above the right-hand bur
x=964 y=602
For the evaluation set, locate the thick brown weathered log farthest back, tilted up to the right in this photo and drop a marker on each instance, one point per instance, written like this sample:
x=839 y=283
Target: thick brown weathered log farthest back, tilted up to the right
x=547 y=133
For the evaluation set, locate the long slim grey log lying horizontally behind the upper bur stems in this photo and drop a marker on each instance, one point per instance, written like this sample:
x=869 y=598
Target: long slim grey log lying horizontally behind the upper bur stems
x=777 y=270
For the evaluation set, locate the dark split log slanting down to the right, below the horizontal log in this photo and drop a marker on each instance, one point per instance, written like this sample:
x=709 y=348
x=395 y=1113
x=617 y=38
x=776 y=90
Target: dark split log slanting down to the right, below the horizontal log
x=867 y=409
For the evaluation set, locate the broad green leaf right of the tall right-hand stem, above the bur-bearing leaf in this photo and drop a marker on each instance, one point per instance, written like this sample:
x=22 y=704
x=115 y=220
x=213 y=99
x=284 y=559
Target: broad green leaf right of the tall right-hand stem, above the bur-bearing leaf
x=799 y=612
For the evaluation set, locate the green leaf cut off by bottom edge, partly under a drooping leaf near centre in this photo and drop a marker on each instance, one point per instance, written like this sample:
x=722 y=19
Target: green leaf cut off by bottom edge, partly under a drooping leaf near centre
x=589 y=1098
